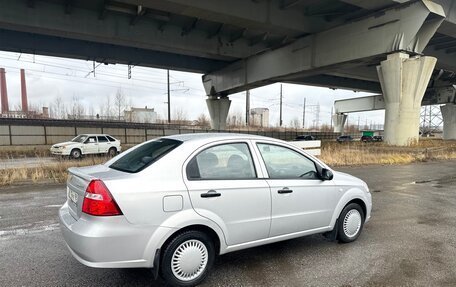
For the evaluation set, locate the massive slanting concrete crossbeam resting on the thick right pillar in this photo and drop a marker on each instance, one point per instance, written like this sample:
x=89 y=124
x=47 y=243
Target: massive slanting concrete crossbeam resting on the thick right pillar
x=405 y=28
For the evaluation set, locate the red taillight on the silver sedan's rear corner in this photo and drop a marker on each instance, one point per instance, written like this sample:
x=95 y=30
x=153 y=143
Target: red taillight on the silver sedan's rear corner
x=98 y=201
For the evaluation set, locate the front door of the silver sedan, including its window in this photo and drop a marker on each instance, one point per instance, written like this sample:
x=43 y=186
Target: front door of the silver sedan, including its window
x=300 y=200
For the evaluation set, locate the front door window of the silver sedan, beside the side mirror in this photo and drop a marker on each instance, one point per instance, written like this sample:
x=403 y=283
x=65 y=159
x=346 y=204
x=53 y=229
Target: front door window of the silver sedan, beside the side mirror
x=285 y=163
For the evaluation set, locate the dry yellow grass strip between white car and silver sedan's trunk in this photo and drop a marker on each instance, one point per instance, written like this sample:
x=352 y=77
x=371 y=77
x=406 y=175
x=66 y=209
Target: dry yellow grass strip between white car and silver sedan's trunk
x=52 y=172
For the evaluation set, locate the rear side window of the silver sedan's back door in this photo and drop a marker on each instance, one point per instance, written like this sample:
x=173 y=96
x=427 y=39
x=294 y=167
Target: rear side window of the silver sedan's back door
x=226 y=161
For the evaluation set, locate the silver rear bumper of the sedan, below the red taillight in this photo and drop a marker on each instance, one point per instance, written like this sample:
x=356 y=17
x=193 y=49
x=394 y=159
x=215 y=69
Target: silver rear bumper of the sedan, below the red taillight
x=108 y=242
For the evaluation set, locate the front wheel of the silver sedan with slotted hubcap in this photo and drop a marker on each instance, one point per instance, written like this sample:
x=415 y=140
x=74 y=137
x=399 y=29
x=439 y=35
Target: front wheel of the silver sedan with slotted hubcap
x=350 y=227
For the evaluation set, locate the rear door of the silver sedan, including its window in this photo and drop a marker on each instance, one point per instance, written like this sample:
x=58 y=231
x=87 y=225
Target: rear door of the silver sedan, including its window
x=224 y=186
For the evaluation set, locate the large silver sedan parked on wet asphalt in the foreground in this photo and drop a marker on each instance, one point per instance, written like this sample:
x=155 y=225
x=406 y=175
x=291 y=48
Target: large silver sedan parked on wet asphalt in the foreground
x=174 y=203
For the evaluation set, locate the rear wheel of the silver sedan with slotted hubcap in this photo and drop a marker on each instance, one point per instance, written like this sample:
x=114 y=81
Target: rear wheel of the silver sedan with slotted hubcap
x=187 y=259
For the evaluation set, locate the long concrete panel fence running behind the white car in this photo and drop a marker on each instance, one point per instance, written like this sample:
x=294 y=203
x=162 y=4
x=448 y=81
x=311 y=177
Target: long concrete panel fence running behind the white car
x=20 y=132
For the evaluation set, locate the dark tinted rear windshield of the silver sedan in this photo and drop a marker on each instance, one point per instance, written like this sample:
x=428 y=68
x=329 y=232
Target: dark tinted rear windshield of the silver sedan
x=145 y=155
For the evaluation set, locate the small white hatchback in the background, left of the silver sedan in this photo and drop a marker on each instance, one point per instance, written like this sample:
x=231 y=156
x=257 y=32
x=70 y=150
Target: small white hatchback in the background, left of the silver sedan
x=88 y=144
